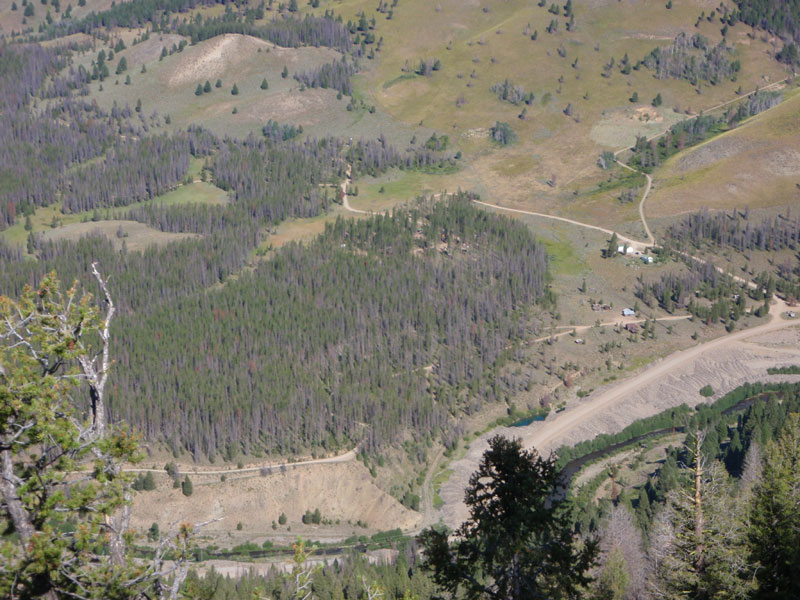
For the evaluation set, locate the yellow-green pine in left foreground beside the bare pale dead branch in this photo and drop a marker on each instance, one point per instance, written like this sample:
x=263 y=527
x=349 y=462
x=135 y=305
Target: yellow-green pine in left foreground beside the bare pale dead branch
x=64 y=526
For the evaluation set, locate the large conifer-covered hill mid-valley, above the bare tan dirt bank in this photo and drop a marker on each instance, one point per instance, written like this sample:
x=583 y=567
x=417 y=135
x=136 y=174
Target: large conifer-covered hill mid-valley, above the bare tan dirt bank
x=377 y=327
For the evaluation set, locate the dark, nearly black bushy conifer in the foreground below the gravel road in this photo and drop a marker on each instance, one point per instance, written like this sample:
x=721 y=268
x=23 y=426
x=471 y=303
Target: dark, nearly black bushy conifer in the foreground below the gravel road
x=518 y=542
